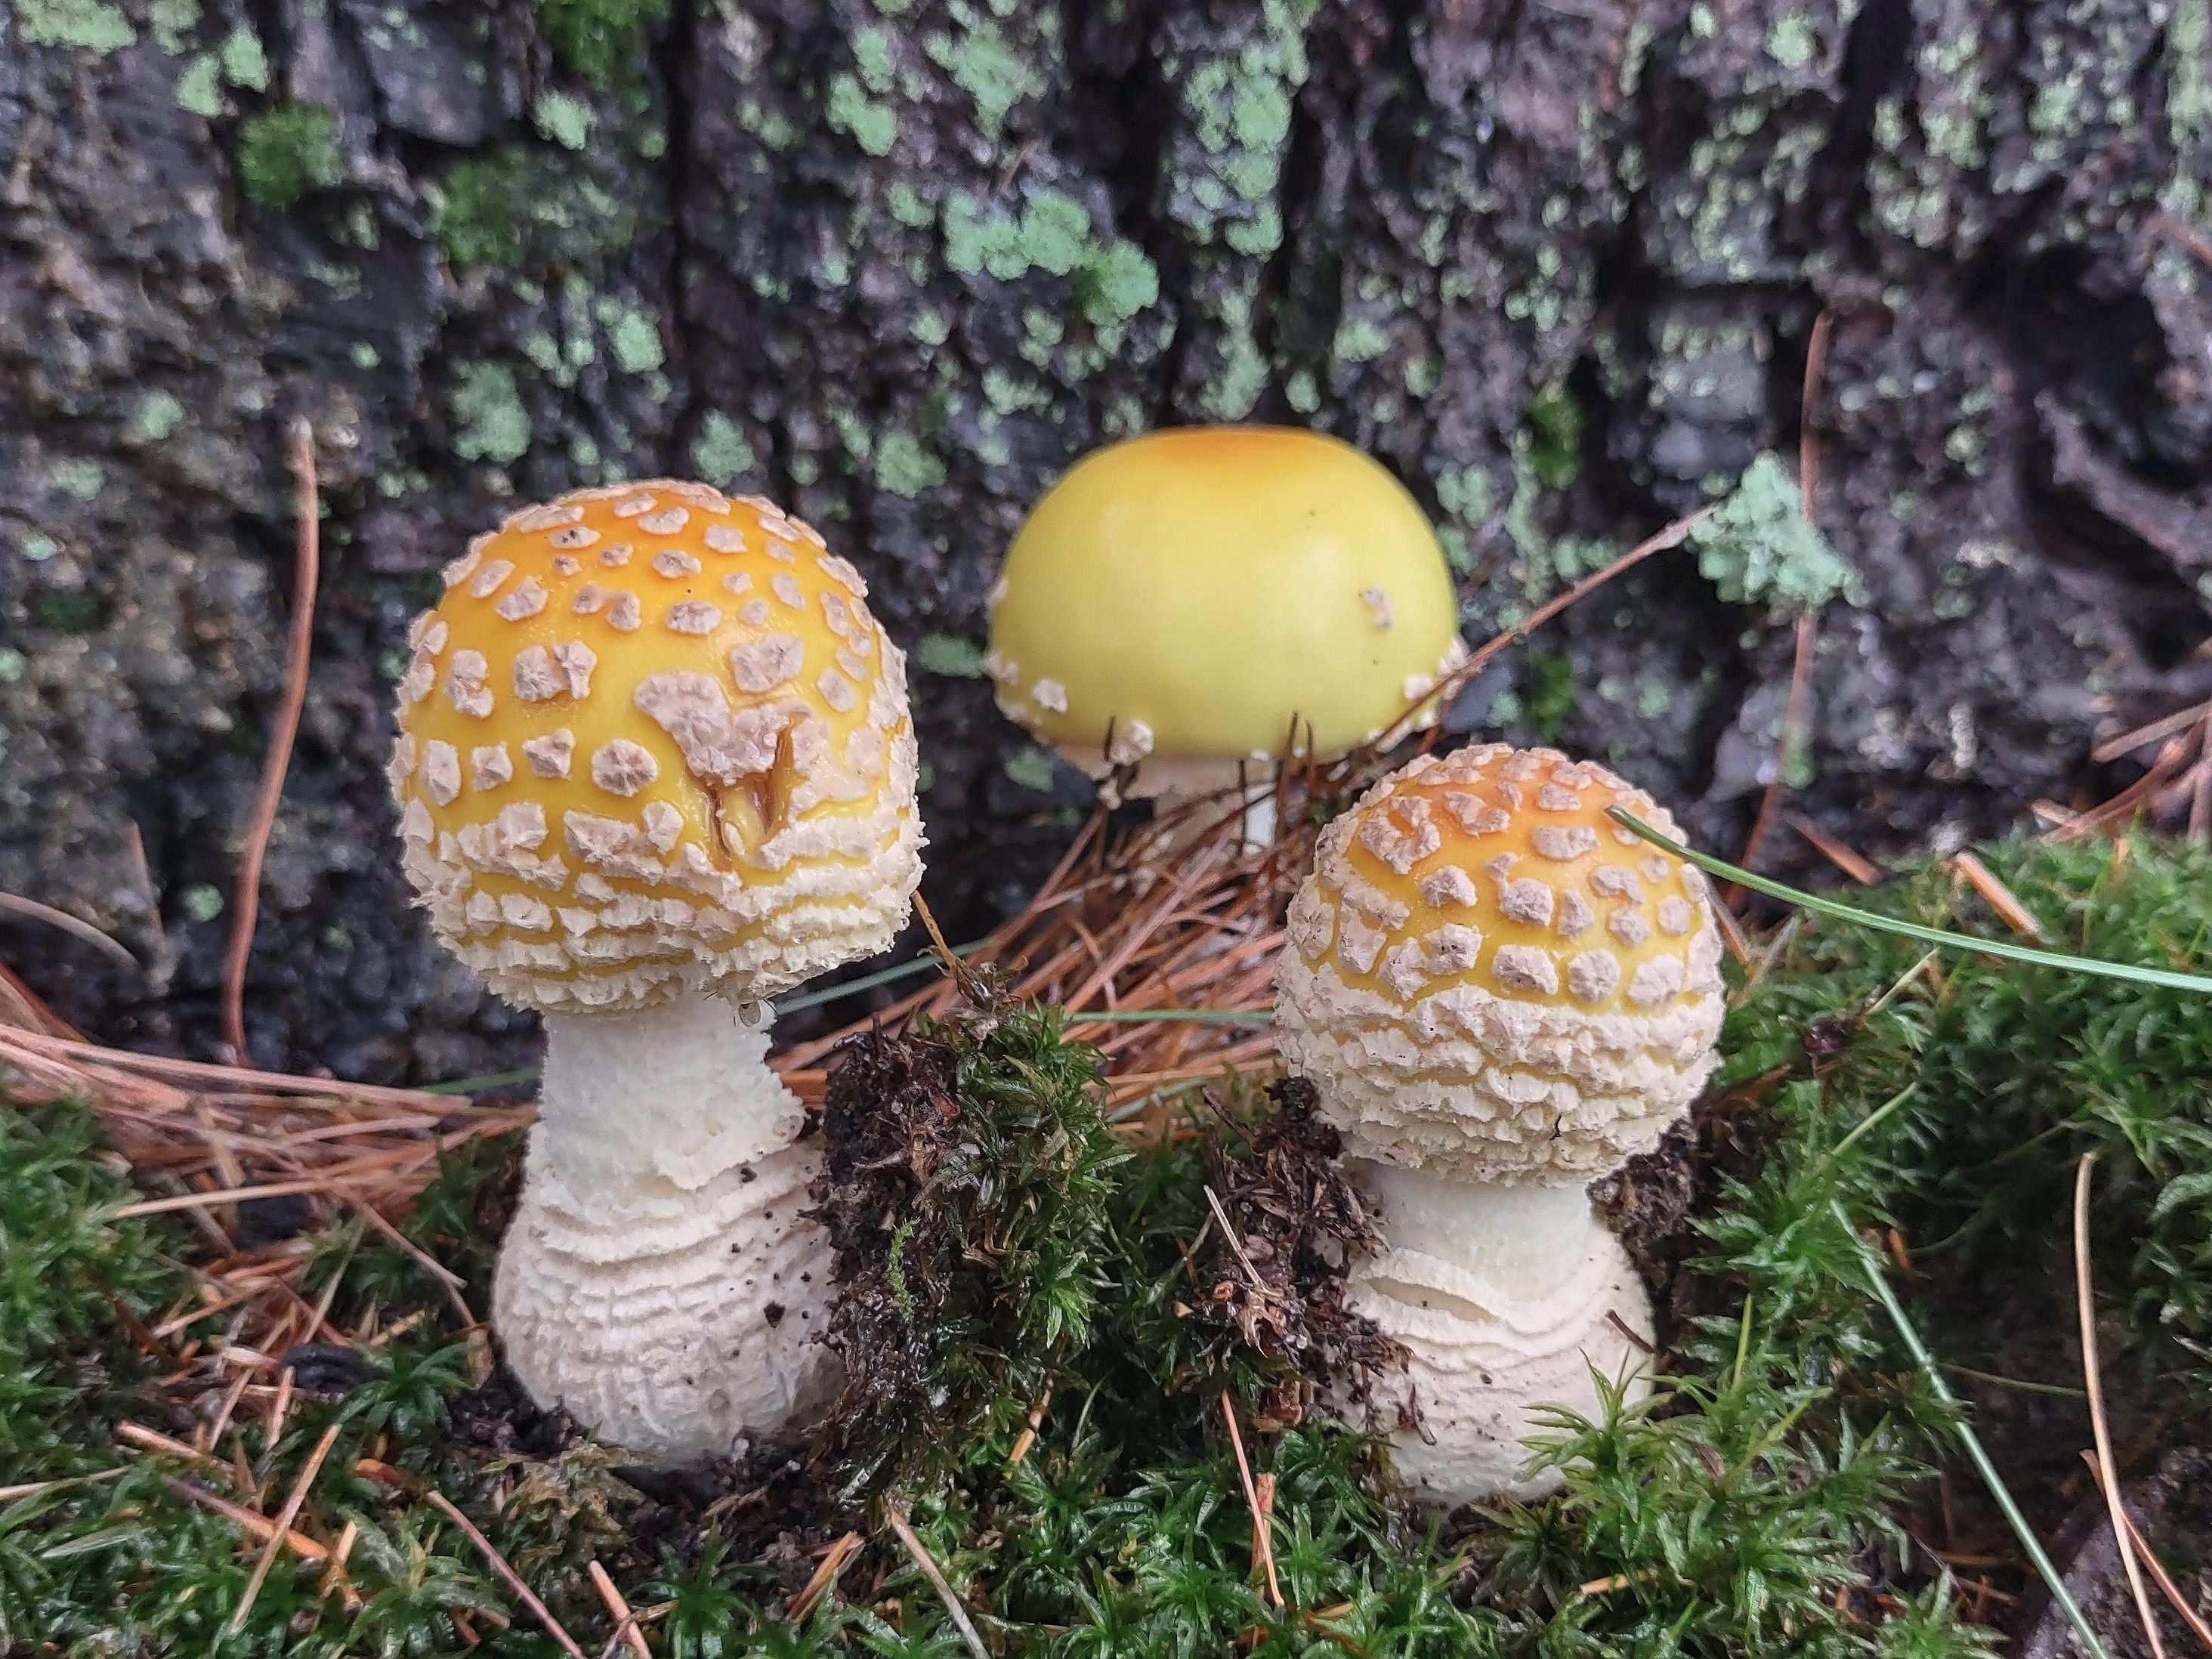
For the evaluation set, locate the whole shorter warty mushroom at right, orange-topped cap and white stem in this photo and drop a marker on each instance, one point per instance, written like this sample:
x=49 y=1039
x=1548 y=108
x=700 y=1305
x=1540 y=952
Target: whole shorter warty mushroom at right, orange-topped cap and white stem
x=1499 y=994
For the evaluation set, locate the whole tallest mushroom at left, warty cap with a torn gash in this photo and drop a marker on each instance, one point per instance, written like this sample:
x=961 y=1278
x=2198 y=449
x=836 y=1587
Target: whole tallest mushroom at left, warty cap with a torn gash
x=656 y=766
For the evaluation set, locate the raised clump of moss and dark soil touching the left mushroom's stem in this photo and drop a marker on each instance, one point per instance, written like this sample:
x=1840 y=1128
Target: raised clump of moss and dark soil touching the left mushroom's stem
x=968 y=1204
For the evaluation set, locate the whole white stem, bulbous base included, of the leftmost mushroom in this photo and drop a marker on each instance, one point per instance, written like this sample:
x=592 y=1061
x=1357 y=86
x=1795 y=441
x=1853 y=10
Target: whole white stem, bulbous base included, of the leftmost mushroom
x=662 y=1280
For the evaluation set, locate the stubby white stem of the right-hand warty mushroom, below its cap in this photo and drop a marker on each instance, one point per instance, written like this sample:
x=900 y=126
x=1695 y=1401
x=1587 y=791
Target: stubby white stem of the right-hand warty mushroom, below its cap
x=1510 y=1300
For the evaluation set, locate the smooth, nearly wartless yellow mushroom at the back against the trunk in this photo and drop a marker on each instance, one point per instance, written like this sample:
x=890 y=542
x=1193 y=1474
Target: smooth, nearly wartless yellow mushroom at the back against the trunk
x=1198 y=603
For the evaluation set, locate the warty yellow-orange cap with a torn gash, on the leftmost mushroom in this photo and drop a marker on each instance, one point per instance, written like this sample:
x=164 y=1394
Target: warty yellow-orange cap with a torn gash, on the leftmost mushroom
x=651 y=740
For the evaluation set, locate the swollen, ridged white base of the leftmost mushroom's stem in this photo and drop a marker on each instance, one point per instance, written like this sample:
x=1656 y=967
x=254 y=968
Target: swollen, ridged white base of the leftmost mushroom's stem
x=678 y=1335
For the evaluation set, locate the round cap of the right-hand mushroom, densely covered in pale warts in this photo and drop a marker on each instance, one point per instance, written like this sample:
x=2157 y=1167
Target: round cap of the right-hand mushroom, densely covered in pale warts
x=1492 y=979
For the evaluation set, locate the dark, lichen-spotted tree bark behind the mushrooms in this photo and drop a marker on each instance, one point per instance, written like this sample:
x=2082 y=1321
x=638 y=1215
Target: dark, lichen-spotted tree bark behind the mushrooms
x=897 y=264
